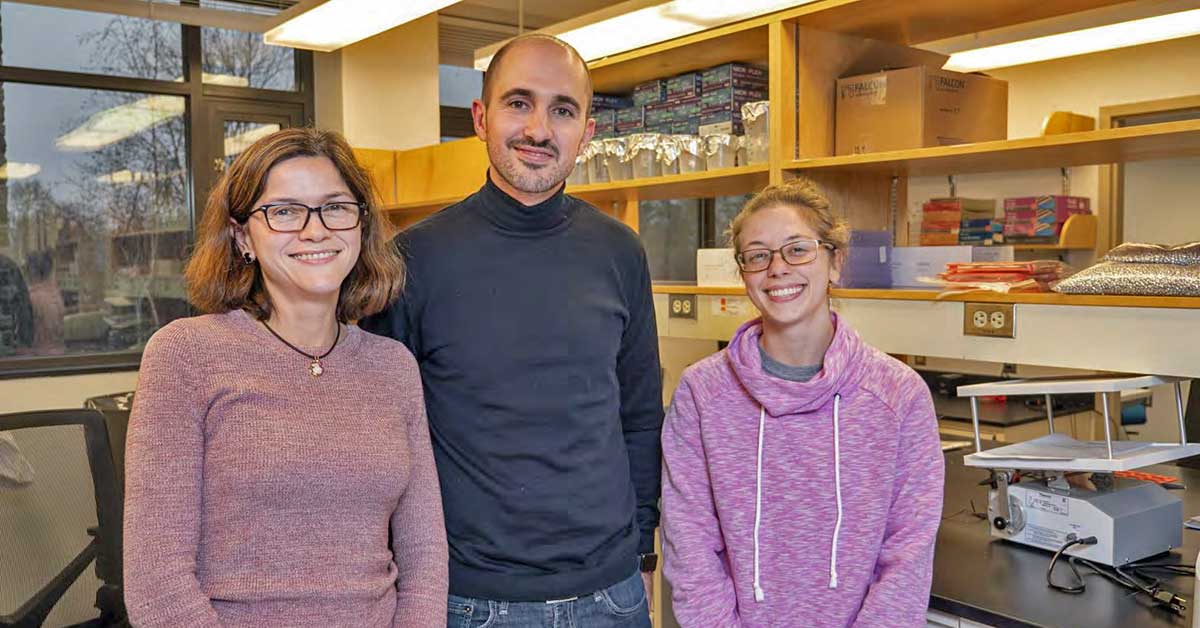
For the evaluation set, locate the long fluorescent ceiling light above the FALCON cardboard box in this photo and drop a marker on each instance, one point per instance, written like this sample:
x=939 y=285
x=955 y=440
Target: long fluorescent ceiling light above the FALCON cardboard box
x=1133 y=33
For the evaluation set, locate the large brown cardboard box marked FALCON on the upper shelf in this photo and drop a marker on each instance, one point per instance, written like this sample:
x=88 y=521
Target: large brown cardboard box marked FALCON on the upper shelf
x=919 y=107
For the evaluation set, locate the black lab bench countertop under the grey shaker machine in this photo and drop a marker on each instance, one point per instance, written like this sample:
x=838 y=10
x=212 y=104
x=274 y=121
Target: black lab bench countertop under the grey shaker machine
x=1004 y=584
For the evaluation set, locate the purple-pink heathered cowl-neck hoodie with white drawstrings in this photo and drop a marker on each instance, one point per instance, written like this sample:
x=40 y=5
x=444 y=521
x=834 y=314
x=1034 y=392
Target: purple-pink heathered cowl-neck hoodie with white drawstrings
x=801 y=504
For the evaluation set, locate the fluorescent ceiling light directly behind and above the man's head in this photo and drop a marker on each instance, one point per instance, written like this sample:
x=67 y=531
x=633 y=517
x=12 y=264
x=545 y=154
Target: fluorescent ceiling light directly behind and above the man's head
x=649 y=26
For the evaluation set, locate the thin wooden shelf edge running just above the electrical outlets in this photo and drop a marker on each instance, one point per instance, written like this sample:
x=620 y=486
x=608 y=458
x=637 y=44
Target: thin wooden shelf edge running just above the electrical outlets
x=917 y=295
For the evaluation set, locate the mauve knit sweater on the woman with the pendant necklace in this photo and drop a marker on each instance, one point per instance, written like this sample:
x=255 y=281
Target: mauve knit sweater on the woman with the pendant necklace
x=259 y=495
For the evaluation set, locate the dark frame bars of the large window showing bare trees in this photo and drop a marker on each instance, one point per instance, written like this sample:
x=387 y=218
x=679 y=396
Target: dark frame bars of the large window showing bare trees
x=197 y=97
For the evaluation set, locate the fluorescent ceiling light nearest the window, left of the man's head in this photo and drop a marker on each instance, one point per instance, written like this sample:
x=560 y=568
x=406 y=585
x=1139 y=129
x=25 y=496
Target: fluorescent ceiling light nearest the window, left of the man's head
x=338 y=23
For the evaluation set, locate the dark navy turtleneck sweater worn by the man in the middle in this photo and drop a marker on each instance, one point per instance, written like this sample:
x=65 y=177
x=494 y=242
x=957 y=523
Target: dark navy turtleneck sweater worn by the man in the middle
x=535 y=332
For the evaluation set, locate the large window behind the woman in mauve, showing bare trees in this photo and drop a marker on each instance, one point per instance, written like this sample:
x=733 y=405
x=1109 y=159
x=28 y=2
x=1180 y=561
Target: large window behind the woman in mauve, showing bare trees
x=101 y=131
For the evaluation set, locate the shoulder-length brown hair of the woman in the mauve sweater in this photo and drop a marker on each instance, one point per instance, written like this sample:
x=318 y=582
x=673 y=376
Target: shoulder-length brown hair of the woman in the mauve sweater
x=219 y=280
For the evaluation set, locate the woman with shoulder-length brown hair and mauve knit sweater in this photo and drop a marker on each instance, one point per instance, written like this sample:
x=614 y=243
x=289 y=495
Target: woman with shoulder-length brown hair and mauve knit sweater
x=279 y=469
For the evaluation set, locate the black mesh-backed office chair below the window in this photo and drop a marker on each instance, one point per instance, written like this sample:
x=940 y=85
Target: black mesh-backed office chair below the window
x=45 y=503
